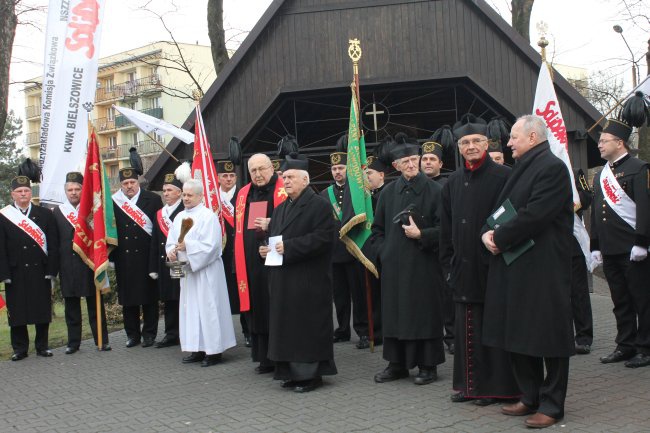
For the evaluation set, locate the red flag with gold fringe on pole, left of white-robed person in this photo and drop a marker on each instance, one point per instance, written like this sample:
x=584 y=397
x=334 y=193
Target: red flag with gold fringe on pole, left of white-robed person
x=95 y=227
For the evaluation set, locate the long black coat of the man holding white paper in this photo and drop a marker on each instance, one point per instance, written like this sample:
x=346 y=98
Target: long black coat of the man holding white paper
x=301 y=325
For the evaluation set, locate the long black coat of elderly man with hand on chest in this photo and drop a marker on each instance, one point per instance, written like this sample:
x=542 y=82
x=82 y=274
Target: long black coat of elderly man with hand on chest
x=411 y=277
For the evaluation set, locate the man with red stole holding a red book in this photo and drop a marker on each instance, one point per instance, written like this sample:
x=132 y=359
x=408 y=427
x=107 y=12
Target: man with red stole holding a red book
x=253 y=212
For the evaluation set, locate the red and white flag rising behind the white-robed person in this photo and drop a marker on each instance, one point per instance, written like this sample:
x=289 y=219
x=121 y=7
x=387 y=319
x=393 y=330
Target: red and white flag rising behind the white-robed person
x=203 y=168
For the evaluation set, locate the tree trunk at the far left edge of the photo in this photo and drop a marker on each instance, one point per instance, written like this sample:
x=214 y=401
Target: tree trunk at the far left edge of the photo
x=7 y=33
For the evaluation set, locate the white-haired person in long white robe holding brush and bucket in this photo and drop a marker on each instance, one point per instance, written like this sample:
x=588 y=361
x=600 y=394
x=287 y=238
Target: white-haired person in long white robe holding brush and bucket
x=206 y=327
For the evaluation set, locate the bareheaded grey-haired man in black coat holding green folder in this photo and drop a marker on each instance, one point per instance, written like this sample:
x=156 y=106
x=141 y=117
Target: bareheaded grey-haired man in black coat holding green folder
x=527 y=308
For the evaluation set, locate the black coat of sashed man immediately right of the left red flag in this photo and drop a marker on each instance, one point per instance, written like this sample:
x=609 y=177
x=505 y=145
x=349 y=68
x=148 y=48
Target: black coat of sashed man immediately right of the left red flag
x=131 y=257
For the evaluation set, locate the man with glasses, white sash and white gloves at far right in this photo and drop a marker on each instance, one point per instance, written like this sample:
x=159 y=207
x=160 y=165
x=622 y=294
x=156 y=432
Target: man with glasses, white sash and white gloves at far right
x=620 y=235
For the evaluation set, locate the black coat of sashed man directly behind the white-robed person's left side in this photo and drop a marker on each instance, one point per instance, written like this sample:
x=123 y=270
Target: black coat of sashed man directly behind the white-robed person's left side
x=169 y=289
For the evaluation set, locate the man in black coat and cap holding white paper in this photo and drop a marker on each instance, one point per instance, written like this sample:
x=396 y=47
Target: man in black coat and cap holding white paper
x=300 y=329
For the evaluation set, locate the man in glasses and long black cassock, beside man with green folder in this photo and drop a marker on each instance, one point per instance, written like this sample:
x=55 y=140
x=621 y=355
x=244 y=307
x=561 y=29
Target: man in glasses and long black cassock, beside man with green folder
x=481 y=374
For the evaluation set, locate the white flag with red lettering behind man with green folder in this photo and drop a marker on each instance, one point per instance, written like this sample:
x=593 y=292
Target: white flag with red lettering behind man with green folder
x=547 y=106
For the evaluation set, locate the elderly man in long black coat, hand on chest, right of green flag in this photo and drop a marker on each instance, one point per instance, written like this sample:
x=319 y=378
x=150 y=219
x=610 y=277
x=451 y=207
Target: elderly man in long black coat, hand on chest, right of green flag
x=405 y=237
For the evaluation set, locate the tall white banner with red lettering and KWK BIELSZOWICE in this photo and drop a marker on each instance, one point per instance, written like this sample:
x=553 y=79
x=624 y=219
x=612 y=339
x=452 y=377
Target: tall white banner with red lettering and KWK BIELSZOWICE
x=69 y=85
